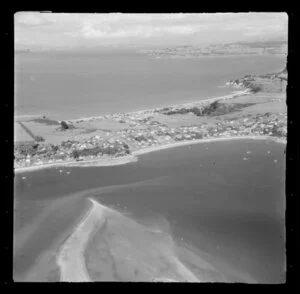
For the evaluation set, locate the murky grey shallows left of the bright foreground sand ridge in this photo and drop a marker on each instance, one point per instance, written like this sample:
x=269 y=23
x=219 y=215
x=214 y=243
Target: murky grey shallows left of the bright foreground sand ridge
x=37 y=242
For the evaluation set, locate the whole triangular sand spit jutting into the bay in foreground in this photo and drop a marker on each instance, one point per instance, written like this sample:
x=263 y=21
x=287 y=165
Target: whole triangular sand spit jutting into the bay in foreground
x=108 y=246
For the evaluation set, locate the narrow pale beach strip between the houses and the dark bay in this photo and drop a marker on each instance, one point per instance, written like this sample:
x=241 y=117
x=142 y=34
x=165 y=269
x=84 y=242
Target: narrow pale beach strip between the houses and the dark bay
x=134 y=155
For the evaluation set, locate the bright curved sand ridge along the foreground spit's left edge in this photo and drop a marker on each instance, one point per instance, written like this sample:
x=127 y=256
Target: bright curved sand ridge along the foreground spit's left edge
x=70 y=258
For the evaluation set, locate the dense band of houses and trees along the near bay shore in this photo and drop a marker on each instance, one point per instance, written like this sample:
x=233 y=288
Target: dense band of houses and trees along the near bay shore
x=122 y=142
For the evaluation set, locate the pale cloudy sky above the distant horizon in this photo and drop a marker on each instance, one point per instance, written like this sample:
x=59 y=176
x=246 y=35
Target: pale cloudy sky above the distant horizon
x=50 y=31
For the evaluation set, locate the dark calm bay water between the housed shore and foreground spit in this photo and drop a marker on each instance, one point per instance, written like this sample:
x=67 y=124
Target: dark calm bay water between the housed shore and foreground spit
x=205 y=194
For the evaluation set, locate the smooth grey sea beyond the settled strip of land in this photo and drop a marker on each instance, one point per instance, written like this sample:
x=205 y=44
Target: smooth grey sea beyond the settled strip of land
x=69 y=86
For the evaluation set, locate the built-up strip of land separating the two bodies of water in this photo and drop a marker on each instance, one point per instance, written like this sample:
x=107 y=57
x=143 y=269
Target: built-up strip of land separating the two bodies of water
x=257 y=109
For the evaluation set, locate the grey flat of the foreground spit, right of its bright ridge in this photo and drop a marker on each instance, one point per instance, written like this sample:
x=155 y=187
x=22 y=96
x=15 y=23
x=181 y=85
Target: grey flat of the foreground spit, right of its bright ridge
x=123 y=250
